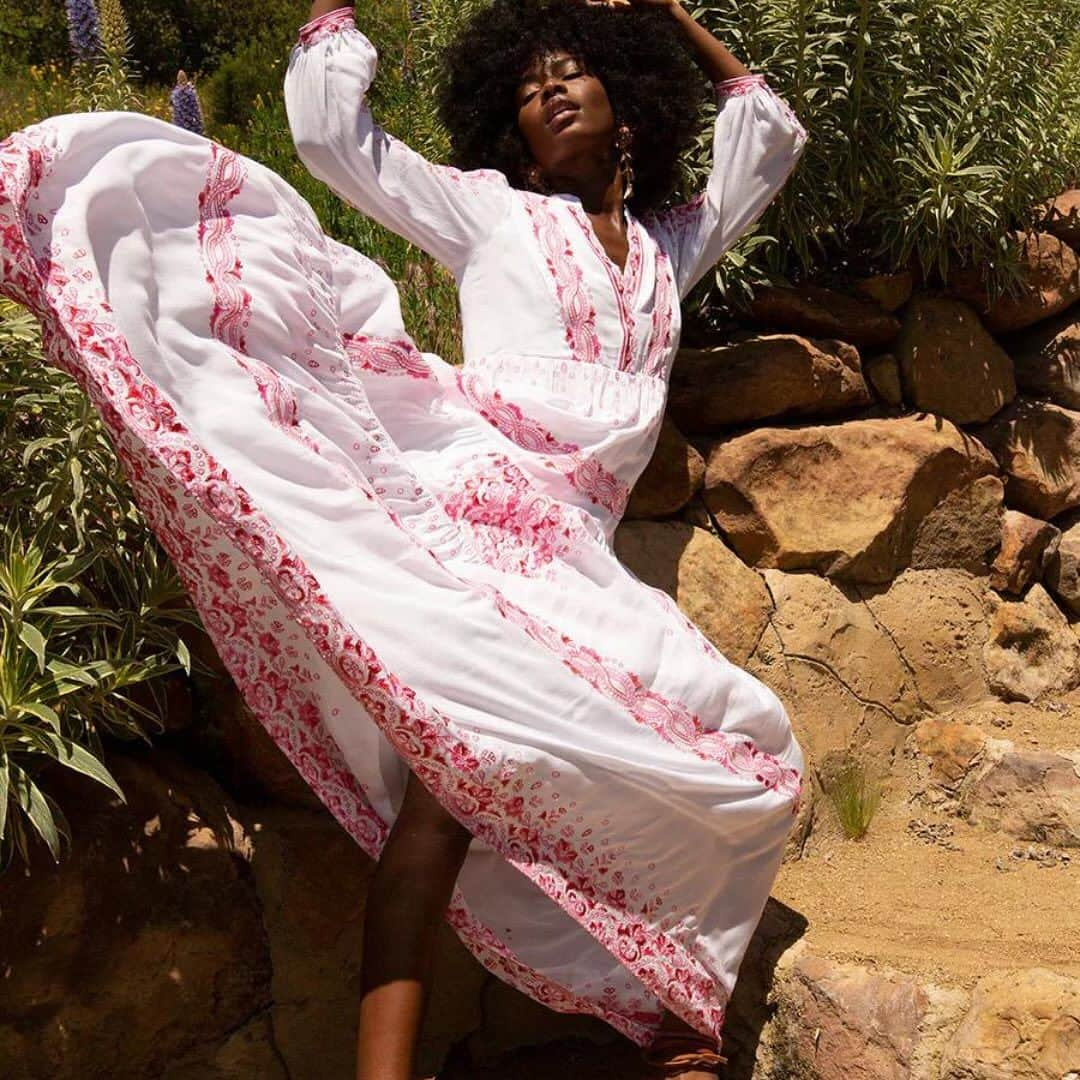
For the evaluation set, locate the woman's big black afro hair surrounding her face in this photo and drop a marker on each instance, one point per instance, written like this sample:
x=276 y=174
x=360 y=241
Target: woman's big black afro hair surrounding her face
x=639 y=56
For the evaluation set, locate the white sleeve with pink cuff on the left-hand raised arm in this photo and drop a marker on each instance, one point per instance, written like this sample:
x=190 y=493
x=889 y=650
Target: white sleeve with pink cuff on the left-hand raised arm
x=444 y=211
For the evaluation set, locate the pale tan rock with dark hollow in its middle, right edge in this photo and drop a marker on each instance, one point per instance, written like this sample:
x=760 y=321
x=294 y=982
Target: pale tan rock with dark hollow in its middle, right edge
x=1031 y=650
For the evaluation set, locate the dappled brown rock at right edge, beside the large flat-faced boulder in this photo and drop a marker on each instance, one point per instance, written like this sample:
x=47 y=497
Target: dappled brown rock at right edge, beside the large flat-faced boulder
x=1038 y=448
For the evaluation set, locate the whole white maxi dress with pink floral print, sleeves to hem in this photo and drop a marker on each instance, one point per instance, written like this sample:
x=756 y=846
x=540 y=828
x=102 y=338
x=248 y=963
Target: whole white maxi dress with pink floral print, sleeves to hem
x=409 y=565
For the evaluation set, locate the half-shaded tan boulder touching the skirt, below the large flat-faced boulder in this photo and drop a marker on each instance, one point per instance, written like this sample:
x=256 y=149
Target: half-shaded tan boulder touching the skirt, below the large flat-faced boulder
x=725 y=600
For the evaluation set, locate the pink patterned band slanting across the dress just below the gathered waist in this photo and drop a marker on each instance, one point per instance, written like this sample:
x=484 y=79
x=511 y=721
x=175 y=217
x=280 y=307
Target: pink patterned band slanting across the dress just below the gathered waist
x=584 y=471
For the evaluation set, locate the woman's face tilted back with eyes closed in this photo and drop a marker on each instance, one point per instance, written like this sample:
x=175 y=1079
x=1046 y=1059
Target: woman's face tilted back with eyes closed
x=563 y=112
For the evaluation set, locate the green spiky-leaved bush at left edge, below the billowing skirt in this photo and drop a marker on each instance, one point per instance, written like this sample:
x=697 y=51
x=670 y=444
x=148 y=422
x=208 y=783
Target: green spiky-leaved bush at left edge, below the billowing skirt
x=90 y=610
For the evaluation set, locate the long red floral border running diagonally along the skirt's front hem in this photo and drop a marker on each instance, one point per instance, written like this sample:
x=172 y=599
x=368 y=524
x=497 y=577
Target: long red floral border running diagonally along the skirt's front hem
x=91 y=347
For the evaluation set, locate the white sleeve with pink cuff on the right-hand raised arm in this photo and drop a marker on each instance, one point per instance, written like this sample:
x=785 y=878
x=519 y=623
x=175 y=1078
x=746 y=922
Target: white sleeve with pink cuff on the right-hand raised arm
x=758 y=142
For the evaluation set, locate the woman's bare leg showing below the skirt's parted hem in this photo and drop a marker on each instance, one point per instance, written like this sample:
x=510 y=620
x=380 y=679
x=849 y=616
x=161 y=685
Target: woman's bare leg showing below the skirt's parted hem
x=408 y=899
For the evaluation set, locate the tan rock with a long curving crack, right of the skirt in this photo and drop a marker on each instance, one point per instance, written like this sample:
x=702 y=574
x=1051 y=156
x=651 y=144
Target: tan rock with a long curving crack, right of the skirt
x=847 y=685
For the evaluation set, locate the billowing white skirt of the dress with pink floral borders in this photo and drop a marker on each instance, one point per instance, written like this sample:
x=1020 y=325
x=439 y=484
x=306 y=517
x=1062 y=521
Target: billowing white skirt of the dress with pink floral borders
x=628 y=788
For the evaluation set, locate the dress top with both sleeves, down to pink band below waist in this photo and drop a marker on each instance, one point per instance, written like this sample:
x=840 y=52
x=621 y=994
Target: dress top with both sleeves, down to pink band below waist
x=568 y=355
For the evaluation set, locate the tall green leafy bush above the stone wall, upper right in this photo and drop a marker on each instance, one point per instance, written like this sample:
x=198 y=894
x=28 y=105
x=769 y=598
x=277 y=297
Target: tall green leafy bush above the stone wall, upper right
x=936 y=126
